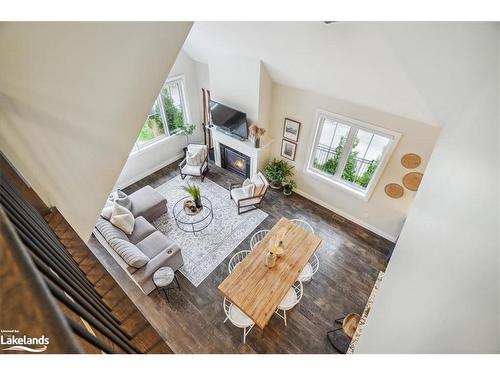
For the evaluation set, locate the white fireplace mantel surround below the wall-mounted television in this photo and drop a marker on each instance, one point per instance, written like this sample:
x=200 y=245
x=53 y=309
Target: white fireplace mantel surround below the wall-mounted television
x=258 y=156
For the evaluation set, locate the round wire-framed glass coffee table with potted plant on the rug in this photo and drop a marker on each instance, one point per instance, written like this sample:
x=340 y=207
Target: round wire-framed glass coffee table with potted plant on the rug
x=193 y=222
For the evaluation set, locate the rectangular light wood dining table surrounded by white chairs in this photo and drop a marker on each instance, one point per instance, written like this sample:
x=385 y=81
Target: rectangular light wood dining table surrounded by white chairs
x=258 y=290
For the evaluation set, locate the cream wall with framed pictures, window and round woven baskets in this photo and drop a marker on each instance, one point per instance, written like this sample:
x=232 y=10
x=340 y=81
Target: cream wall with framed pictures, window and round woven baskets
x=381 y=214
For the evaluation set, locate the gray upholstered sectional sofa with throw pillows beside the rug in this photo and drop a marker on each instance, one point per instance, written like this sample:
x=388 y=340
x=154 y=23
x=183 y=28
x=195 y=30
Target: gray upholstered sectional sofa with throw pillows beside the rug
x=147 y=205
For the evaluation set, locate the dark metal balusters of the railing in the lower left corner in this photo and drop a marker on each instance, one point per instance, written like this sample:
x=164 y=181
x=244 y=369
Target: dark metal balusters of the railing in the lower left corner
x=62 y=277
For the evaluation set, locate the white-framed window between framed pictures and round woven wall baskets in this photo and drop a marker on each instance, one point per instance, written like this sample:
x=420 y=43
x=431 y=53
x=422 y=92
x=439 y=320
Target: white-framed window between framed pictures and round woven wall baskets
x=350 y=153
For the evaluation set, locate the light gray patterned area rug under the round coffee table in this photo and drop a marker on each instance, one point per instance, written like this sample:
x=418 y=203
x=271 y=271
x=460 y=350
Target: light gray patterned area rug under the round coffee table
x=204 y=251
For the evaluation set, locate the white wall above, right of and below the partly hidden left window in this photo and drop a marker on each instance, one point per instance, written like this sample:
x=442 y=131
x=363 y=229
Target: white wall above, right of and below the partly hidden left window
x=164 y=152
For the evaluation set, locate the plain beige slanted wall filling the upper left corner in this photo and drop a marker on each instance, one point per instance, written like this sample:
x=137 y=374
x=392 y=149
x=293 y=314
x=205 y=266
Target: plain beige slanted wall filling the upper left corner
x=73 y=97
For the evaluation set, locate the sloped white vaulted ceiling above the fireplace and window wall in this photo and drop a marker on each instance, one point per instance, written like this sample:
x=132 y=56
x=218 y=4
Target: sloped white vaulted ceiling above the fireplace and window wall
x=416 y=70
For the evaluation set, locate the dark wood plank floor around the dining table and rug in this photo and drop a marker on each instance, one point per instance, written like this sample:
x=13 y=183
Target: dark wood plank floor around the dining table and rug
x=350 y=260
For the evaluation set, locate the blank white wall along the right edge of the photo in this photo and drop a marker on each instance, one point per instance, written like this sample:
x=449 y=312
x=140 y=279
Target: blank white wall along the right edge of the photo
x=440 y=293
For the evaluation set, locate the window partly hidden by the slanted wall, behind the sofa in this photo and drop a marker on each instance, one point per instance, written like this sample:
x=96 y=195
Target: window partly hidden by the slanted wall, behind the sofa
x=168 y=114
